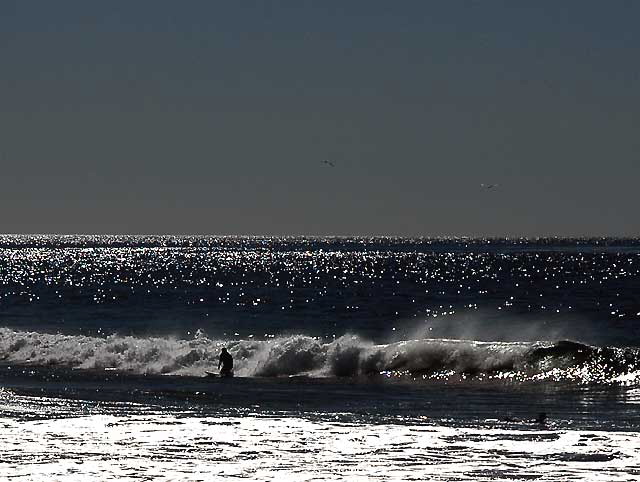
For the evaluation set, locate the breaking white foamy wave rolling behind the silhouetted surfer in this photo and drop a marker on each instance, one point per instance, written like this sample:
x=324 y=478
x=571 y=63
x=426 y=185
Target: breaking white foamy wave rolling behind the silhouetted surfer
x=347 y=356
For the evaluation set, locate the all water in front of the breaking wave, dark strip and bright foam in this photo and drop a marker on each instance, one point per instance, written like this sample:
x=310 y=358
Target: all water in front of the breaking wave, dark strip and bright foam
x=309 y=429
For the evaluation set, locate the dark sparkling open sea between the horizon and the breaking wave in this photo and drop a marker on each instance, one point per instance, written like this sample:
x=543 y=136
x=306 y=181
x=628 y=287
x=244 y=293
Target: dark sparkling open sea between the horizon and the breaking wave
x=384 y=289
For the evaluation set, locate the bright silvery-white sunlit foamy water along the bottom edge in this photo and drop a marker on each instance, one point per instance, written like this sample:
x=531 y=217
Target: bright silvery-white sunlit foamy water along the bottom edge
x=168 y=447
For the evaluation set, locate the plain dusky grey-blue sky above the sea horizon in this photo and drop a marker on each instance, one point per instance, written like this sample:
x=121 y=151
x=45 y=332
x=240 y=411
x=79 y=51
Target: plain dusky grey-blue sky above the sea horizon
x=200 y=117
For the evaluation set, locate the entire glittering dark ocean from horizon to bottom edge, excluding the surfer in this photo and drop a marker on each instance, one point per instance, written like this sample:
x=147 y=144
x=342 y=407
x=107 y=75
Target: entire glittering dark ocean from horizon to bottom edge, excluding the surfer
x=354 y=358
